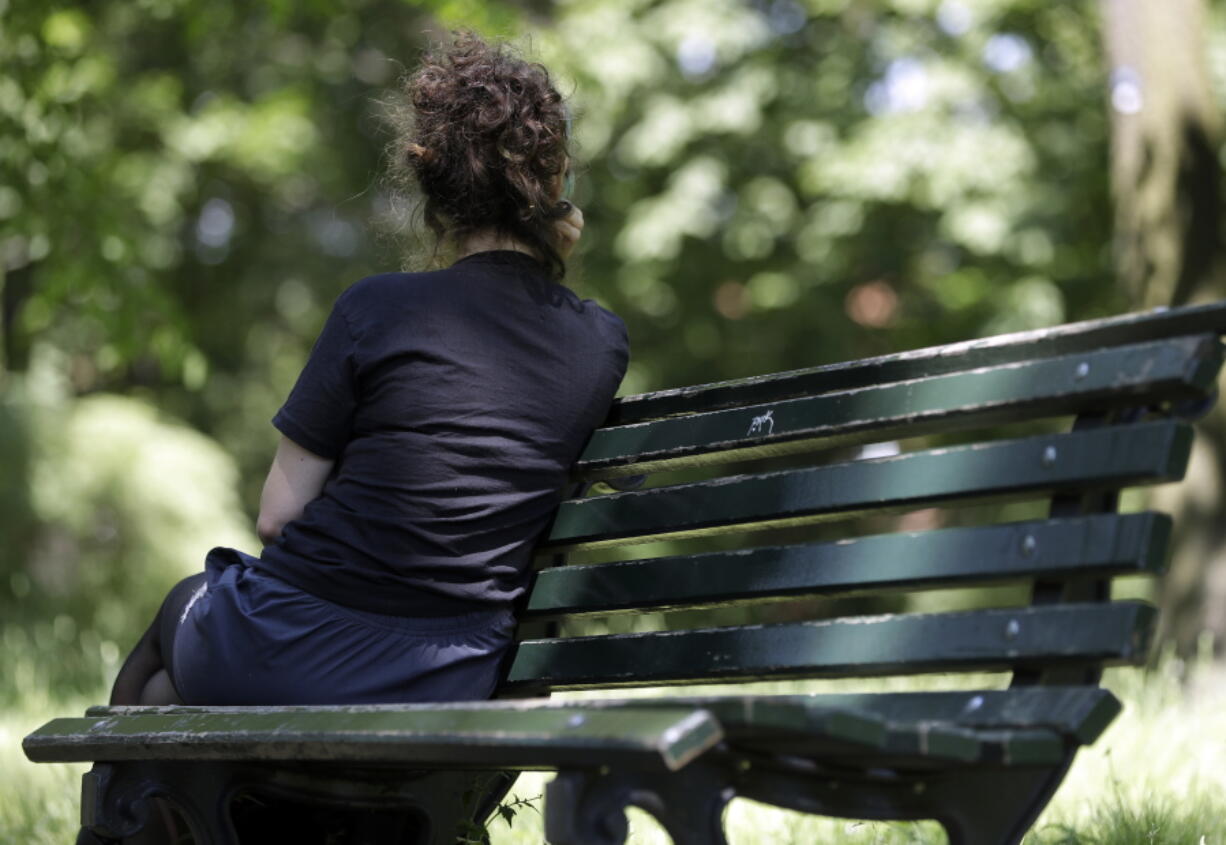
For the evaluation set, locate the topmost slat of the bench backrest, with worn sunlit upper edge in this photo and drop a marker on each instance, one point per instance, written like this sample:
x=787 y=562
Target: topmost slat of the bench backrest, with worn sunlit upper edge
x=1073 y=338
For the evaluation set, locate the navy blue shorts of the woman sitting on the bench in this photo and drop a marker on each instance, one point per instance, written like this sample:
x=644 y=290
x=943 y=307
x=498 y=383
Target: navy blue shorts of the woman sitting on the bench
x=249 y=638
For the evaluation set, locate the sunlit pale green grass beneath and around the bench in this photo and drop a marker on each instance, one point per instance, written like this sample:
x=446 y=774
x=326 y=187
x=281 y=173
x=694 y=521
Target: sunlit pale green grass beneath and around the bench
x=1157 y=778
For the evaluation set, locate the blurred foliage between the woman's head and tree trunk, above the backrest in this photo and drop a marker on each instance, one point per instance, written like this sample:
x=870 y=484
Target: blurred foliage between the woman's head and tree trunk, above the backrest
x=775 y=186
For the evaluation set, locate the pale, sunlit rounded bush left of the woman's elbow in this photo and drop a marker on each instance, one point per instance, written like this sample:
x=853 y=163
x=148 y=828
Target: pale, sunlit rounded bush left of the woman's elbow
x=107 y=506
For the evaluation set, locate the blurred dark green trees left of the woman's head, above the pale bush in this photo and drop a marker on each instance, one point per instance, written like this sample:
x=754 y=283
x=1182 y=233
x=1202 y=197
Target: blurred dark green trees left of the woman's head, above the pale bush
x=186 y=187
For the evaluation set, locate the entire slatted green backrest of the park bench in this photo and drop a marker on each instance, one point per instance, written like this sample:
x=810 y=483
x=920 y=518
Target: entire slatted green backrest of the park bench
x=791 y=443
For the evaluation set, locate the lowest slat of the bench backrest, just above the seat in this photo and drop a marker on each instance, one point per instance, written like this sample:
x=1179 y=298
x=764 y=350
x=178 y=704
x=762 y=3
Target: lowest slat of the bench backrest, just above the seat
x=861 y=647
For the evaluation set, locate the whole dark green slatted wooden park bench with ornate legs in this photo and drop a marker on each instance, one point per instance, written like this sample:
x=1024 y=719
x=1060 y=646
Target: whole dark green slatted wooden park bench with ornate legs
x=804 y=518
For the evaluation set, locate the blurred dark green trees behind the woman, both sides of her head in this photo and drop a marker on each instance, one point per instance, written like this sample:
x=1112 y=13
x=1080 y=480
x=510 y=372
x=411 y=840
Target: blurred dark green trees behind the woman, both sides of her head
x=186 y=187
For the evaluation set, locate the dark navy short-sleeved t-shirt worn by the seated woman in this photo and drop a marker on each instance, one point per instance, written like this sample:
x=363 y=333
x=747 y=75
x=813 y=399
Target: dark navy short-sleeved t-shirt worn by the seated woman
x=454 y=404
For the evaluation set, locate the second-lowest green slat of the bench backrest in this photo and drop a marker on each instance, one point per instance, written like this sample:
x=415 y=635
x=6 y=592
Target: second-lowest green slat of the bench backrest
x=1091 y=546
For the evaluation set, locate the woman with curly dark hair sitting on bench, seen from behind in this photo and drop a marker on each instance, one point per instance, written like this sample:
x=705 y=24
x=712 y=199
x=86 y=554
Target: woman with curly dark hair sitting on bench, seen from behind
x=426 y=445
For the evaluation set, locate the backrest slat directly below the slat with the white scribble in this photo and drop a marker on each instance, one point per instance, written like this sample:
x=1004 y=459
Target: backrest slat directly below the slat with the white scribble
x=1105 y=458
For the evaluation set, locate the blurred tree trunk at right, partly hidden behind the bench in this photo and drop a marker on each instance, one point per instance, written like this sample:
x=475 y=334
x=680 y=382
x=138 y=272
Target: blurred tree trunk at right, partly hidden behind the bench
x=1167 y=182
